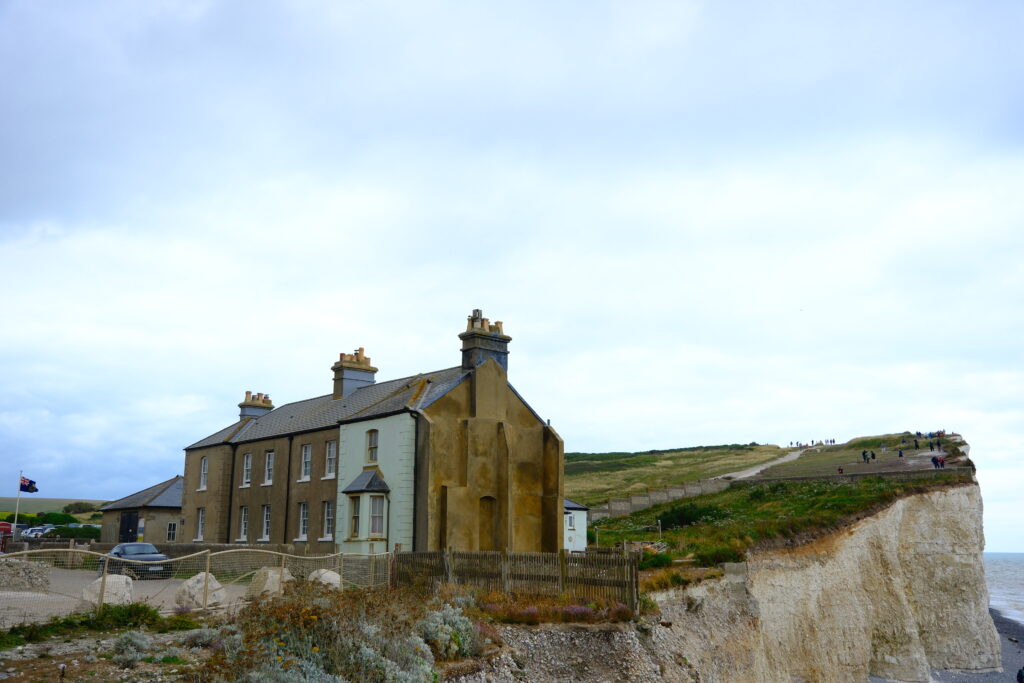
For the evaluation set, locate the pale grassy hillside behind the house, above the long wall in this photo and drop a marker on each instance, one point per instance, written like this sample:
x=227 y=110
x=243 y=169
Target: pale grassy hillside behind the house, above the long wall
x=591 y=479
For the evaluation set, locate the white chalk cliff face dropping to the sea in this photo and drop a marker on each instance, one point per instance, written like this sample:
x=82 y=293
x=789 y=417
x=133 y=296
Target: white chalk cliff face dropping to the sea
x=893 y=595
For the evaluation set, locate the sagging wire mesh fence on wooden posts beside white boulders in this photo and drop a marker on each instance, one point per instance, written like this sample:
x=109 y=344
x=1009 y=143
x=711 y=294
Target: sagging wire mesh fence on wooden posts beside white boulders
x=41 y=584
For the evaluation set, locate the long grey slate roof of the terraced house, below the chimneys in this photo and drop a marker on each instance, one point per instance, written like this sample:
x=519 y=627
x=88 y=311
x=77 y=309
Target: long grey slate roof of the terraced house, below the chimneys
x=414 y=394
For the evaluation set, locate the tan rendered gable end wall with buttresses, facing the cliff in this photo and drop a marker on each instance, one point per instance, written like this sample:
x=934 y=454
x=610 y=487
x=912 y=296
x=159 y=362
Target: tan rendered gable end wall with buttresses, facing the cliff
x=490 y=472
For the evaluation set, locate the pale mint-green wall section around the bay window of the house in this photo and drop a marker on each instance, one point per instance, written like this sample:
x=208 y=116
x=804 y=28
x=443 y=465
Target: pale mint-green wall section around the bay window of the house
x=396 y=462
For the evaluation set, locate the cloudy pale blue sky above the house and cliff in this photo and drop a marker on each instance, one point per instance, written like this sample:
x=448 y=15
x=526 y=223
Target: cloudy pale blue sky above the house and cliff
x=701 y=223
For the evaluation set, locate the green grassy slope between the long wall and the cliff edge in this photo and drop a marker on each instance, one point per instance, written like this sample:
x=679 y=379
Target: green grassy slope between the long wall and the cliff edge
x=723 y=527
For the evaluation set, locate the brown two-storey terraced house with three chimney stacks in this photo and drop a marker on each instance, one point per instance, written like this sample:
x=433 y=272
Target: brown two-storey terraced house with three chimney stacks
x=453 y=458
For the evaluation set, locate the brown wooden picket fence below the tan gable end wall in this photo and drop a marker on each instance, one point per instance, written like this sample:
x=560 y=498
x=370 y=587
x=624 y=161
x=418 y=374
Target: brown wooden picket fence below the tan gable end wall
x=589 y=576
